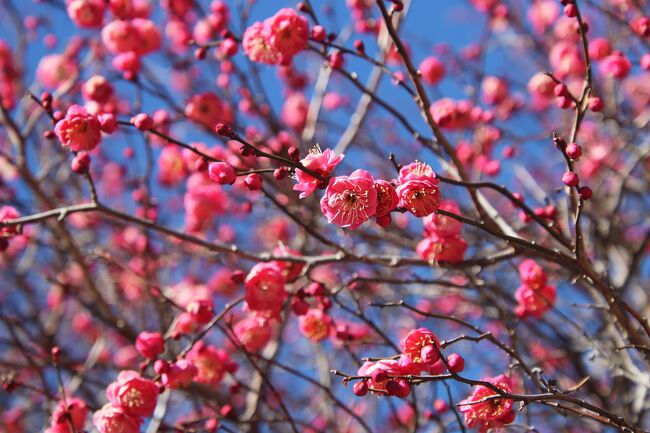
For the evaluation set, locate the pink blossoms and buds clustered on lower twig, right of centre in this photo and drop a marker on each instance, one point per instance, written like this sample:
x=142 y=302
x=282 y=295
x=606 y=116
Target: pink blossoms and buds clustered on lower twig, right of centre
x=420 y=353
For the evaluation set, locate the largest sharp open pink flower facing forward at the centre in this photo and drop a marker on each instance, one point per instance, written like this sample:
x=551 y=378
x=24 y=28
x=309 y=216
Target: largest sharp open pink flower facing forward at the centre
x=349 y=201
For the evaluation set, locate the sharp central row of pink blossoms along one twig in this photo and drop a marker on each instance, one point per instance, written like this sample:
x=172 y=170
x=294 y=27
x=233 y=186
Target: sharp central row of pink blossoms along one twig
x=351 y=200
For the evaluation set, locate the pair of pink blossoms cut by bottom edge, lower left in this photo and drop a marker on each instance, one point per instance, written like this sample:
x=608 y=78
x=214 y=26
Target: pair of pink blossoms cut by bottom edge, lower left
x=131 y=398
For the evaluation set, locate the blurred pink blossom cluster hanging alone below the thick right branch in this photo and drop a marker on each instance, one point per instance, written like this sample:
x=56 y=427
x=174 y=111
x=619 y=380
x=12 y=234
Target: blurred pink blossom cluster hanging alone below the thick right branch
x=534 y=297
